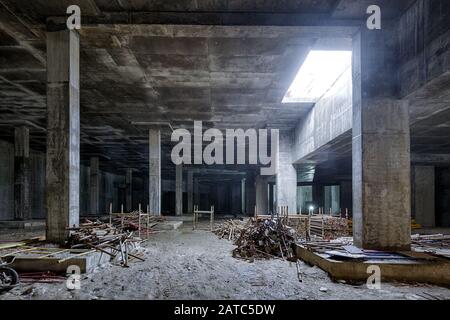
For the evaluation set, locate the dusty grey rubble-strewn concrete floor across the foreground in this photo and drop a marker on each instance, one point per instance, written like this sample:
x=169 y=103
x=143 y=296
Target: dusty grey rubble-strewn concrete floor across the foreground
x=186 y=264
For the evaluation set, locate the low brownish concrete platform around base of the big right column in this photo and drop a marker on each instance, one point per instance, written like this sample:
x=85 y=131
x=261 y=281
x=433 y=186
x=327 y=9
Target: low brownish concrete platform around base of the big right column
x=415 y=268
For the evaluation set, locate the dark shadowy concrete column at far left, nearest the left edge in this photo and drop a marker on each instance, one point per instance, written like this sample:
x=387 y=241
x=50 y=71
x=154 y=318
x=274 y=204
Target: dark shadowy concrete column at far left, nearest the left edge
x=22 y=196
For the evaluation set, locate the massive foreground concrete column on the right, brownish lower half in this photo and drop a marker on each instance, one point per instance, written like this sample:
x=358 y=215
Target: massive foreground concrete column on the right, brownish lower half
x=381 y=146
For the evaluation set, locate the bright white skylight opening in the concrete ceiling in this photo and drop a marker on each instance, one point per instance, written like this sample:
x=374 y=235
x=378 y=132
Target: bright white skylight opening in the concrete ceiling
x=317 y=75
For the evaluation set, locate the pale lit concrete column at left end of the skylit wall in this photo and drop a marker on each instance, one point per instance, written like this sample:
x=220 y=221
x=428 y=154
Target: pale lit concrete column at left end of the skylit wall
x=286 y=179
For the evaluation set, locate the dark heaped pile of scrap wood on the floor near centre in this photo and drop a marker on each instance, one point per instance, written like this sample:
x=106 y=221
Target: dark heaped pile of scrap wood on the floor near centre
x=265 y=239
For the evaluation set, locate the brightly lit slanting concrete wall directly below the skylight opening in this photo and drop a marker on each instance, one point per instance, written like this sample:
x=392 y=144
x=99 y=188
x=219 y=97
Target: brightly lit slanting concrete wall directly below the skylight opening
x=330 y=117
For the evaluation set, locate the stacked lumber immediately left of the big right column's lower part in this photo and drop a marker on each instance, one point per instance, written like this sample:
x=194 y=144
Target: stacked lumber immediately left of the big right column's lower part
x=327 y=227
